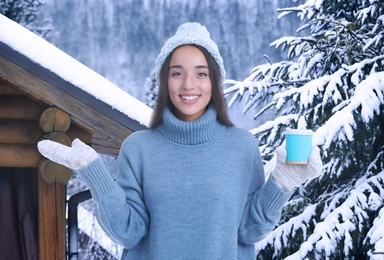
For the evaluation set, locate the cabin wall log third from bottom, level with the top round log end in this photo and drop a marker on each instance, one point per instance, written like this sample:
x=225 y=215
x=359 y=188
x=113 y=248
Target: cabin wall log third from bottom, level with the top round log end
x=19 y=107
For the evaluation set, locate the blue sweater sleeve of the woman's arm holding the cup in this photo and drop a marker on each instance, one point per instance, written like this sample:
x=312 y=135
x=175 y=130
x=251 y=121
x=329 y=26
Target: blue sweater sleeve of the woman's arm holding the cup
x=263 y=208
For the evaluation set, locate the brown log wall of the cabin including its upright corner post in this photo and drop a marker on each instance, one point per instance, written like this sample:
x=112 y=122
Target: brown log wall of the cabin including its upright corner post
x=24 y=122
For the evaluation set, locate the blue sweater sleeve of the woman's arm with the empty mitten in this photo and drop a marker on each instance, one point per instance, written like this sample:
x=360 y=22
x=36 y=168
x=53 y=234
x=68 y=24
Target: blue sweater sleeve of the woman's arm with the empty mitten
x=121 y=211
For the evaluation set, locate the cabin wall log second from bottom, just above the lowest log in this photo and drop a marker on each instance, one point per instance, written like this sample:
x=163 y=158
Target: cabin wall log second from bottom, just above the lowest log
x=20 y=132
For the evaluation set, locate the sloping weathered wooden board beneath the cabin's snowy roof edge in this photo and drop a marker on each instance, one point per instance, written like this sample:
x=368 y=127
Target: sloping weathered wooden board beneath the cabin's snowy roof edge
x=80 y=112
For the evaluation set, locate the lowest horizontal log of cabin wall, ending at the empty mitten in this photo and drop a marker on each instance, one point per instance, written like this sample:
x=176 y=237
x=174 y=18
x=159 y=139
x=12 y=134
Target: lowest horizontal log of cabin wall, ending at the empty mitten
x=19 y=155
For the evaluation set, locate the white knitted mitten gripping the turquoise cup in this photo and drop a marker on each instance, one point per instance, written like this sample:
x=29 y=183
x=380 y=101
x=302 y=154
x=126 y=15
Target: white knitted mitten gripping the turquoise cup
x=290 y=176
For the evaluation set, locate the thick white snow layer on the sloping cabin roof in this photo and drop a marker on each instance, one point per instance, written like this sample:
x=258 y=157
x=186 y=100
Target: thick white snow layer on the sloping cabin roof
x=50 y=57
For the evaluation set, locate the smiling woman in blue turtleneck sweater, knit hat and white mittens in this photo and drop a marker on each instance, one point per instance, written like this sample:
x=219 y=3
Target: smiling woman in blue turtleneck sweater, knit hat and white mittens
x=192 y=186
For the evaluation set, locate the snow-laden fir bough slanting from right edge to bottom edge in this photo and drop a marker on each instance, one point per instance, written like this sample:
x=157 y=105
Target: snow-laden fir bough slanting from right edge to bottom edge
x=339 y=224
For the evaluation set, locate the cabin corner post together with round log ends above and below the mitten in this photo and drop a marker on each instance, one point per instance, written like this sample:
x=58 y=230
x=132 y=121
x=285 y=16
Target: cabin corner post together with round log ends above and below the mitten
x=52 y=188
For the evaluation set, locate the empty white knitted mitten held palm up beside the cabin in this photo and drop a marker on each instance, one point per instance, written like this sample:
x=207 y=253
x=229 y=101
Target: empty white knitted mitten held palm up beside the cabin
x=76 y=157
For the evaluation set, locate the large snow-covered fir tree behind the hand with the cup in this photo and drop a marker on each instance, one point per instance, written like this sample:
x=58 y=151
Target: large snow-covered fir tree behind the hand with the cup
x=333 y=83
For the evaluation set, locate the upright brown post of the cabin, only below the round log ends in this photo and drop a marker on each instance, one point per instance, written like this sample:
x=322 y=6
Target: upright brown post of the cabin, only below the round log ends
x=51 y=199
